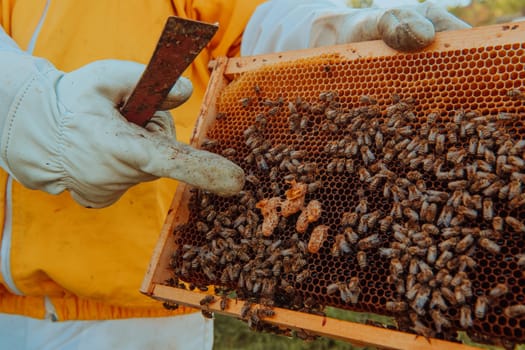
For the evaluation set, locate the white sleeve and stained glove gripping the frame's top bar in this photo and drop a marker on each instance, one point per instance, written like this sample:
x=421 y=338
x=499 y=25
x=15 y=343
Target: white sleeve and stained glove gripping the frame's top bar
x=298 y=24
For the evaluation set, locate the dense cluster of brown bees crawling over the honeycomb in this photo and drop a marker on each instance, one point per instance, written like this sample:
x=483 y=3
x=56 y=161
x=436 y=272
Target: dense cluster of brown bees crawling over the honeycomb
x=431 y=195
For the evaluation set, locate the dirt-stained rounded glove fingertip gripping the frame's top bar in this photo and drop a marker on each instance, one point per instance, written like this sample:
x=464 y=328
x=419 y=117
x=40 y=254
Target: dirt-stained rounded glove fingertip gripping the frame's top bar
x=405 y=29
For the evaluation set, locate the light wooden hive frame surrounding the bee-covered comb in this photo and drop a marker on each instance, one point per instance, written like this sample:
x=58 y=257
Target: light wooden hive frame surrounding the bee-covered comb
x=224 y=69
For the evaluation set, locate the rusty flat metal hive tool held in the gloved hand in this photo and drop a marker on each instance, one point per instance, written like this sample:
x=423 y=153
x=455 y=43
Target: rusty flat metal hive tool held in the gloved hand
x=180 y=42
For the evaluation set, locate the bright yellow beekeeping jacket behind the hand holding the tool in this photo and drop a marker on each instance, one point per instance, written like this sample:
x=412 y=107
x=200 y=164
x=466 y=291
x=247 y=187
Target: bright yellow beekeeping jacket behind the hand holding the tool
x=91 y=263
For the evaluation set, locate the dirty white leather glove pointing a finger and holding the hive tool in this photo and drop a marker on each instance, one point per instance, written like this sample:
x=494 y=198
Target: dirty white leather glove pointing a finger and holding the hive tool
x=63 y=131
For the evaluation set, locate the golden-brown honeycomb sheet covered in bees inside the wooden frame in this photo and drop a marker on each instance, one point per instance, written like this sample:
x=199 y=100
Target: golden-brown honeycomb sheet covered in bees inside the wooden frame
x=415 y=163
